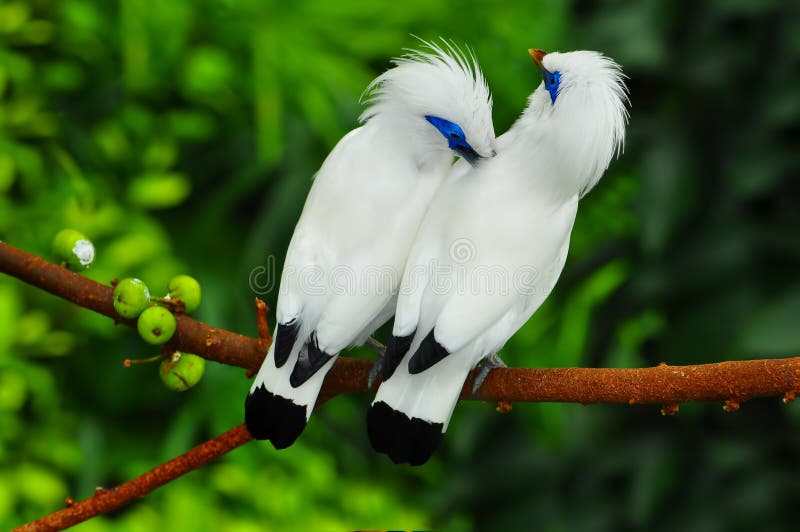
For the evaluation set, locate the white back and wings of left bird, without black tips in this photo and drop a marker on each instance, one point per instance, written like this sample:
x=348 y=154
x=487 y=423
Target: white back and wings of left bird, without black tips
x=338 y=274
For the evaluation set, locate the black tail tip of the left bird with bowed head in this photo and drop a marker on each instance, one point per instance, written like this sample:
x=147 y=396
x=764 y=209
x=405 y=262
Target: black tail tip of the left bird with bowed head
x=274 y=418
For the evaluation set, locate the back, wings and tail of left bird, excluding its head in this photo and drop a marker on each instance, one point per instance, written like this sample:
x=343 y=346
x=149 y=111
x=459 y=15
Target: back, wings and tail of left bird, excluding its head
x=341 y=273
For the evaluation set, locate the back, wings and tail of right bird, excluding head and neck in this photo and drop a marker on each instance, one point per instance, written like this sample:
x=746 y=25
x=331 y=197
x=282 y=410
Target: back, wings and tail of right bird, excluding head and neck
x=491 y=249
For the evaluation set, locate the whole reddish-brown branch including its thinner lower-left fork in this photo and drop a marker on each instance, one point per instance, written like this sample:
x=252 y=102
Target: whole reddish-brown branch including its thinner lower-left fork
x=732 y=382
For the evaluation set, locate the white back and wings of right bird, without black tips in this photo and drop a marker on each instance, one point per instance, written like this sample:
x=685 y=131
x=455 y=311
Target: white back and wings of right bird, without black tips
x=484 y=250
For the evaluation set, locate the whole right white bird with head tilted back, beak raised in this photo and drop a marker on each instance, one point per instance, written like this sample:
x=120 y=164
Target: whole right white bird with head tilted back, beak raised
x=492 y=246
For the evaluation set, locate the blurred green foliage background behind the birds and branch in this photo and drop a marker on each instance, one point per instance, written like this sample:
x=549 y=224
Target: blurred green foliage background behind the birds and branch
x=182 y=136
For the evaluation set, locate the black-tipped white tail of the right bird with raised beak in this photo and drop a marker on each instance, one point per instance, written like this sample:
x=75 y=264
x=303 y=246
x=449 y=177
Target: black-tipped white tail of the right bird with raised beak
x=411 y=412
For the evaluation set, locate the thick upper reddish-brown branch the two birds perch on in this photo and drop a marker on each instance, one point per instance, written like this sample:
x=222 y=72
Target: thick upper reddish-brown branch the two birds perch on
x=663 y=384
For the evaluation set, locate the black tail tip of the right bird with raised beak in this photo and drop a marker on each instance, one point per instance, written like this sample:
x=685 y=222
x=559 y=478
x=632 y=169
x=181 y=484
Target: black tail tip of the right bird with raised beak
x=406 y=440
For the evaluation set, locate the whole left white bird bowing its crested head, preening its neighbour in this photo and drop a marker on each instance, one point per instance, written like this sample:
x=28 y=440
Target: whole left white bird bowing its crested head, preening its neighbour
x=346 y=257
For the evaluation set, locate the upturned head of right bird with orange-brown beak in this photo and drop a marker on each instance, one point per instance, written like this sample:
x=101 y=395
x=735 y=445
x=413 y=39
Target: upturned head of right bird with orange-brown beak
x=582 y=101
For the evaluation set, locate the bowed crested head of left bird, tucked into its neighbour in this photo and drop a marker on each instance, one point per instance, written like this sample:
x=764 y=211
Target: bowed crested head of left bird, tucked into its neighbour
x=438 y=100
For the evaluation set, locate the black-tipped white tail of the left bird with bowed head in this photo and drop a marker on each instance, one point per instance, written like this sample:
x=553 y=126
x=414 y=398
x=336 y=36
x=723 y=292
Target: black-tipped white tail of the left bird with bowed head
x=285 y=389
